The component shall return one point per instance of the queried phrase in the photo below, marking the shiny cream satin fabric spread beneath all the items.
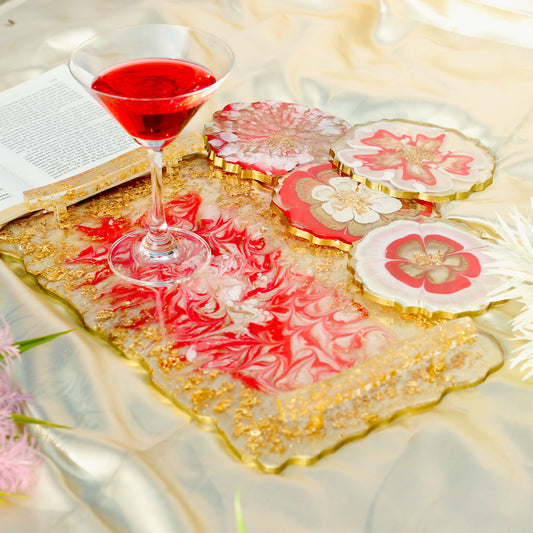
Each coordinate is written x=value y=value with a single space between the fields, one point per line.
x=132 y=463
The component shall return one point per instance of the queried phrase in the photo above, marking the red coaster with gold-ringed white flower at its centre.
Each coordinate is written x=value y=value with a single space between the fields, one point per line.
x=318 y=204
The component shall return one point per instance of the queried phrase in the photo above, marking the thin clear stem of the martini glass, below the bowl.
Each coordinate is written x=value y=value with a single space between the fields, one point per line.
x=158 y=240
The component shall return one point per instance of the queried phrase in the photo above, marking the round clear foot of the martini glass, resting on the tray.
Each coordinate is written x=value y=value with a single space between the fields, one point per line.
x=132 y=262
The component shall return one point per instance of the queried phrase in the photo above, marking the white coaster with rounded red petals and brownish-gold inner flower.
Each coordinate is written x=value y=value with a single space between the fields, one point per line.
x=434 y=268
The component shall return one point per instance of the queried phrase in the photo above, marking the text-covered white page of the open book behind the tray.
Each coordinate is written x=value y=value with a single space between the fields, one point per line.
x=53 y=129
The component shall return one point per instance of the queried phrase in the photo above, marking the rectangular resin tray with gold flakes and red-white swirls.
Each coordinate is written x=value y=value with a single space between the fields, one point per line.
x=271 y=347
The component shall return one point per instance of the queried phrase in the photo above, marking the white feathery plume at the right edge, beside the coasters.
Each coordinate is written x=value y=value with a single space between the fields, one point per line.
x=512 y=256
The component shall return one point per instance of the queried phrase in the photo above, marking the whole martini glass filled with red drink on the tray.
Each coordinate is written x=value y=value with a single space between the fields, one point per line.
x=153 y=78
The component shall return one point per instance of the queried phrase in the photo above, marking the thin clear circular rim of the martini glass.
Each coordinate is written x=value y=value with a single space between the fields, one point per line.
x=189 y=29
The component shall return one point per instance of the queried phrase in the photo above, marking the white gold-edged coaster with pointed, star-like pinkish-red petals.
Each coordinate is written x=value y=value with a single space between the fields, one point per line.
x=414 y=160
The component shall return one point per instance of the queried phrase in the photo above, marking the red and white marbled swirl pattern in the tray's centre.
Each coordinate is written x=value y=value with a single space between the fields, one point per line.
x=250 y=314
